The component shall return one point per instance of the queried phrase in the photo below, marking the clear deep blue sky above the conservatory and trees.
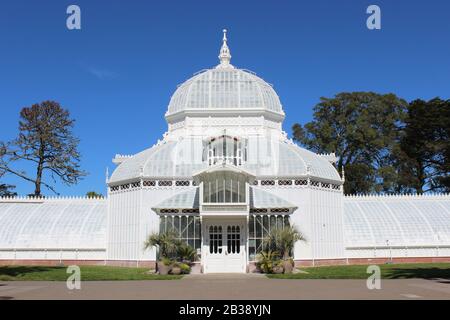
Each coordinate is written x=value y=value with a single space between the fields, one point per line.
x=117 y=73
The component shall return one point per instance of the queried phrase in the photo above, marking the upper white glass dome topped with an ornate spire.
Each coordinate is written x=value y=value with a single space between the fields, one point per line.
x=225 y=89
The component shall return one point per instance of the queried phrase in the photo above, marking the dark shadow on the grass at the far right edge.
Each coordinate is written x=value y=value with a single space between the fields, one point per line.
x=420 y=273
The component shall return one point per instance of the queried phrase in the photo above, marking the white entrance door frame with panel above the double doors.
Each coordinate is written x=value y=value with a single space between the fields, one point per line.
x=223 y=261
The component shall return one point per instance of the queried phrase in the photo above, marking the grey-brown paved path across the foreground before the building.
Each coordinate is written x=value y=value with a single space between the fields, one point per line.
x=217 y=287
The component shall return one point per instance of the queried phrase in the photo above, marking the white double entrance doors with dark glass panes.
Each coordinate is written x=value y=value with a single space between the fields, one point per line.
x=225 y=248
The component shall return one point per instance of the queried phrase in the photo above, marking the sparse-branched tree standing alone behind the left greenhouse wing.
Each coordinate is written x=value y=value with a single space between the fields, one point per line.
x=45 y=139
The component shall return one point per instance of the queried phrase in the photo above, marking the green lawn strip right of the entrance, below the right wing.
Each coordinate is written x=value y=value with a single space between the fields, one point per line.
x=388 y=271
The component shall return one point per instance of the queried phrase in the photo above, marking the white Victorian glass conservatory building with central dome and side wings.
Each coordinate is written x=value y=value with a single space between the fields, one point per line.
x=222 y=176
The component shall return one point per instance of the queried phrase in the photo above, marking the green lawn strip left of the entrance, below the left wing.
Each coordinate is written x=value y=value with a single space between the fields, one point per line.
x=88 y=273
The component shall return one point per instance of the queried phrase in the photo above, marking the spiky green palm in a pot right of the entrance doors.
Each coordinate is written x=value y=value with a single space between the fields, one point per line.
x=283 y=240
